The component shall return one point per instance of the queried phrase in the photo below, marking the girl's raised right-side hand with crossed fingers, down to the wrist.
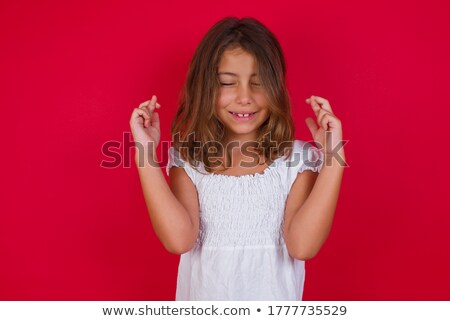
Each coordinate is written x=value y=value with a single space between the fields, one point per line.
x=329 y=135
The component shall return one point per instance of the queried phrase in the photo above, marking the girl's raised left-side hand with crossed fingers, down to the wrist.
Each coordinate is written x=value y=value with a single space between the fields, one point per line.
x=144 y=124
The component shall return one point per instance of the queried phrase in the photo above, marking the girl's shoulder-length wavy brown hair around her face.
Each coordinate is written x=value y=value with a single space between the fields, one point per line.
x=196 y=130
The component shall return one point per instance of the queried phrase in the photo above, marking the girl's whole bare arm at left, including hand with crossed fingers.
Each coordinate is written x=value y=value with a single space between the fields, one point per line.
x=174 y=213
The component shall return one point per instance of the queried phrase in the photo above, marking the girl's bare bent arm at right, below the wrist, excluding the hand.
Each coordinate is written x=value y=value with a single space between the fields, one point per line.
x=310 y=209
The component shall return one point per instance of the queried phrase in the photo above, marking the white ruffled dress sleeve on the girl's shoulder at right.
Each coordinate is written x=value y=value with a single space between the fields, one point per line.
x=304 y=156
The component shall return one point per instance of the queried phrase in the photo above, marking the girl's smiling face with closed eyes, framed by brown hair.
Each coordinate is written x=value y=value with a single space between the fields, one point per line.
x=240 y=93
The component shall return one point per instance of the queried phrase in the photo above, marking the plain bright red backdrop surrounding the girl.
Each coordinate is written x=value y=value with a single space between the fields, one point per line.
x=71 y=73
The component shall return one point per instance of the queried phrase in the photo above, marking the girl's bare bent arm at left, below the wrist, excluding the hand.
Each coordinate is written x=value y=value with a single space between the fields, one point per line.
x=173 y=212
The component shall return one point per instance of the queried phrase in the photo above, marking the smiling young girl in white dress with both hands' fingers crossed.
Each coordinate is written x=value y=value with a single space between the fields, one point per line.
x=246 y=204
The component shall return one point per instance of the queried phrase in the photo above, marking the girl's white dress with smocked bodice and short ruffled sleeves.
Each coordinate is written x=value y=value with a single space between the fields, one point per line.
x=240 y=253
